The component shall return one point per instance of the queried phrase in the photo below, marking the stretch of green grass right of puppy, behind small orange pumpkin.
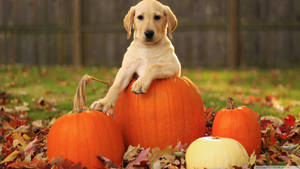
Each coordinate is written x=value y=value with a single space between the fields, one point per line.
x=218 y=84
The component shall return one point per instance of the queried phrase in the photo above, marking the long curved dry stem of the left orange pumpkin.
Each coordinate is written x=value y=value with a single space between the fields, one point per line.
x=79 y=98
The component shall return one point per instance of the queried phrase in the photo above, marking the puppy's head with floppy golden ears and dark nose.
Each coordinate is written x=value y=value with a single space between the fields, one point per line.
x=150 y=20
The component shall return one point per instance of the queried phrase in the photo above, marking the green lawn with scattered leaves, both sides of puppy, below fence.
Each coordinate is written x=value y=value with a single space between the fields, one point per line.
x=56 y=85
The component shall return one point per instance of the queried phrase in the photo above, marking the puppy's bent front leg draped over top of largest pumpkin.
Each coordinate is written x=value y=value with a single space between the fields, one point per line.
x=157 y=71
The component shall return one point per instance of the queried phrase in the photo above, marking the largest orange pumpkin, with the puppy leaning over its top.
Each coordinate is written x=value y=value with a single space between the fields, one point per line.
x=170 y=111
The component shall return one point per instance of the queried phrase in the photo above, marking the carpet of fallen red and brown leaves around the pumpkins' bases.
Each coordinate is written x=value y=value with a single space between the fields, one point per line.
x=23 y=144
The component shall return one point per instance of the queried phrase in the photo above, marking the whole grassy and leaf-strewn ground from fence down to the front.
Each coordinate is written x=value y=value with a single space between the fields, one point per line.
x=31 y=98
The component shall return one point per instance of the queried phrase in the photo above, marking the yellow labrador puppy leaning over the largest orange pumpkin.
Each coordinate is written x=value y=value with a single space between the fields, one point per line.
x=150 y=55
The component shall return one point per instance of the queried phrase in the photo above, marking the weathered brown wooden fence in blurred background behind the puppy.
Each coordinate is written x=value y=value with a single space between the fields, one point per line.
x=215 y=33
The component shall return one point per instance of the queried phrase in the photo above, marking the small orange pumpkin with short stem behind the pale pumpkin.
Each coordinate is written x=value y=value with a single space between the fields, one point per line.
x=239 y=123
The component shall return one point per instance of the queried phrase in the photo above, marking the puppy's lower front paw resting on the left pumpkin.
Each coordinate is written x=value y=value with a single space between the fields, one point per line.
x=103 y=105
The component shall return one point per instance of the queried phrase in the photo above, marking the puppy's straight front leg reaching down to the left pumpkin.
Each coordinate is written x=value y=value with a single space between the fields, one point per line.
x=121 y=81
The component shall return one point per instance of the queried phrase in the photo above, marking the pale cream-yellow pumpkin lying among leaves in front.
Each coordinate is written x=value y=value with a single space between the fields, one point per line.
x=214 y=152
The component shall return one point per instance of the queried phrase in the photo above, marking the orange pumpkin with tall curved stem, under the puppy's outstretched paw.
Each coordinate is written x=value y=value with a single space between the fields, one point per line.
x=82 y=136
